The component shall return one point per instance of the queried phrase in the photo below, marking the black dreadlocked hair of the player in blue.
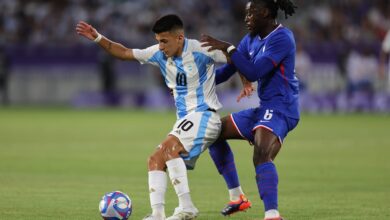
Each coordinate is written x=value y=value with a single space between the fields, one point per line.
x=273 y=5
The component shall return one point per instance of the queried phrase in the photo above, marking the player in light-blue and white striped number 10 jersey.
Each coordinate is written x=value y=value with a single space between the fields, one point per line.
x=188 y=70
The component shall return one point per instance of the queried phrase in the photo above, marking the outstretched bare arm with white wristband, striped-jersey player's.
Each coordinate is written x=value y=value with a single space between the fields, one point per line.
x=115 y=49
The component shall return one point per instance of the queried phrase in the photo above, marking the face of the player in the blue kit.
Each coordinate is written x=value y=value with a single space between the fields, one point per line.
x=254 y=17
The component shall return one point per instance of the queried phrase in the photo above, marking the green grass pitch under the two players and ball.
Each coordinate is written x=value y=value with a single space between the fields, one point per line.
x=57 y=164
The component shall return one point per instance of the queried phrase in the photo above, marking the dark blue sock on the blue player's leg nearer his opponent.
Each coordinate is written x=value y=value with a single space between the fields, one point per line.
x=223 y=159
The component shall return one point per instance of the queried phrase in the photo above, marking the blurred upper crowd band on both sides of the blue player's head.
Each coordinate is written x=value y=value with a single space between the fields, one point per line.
x=40 y=21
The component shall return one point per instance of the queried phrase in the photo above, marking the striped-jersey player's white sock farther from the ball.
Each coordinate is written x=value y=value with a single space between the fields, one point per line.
x=178 y=175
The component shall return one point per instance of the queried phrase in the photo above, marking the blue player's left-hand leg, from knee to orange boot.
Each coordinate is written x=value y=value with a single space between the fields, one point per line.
x=223 y=158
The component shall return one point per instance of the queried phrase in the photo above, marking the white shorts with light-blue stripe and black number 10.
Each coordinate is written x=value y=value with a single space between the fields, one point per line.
x=197 y=131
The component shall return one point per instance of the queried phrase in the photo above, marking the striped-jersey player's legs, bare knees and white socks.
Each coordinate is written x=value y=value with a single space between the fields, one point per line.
x=168 y=156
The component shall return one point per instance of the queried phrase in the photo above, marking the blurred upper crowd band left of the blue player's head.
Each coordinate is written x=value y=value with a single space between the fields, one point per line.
x=50 y=22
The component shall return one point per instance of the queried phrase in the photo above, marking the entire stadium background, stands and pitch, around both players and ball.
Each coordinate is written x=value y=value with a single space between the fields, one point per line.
x=76 y=123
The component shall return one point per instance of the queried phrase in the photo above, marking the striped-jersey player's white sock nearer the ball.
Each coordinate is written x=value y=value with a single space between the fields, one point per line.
x=157 y=188
